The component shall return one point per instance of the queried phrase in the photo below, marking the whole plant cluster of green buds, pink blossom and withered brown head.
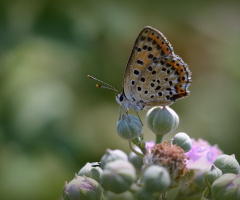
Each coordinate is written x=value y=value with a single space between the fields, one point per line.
x=153 y=169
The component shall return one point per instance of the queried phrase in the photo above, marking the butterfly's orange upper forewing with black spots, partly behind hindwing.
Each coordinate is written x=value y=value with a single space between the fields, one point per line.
x=150 y=45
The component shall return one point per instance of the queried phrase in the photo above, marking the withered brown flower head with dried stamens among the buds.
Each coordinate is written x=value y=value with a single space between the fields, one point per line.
x=169 y=156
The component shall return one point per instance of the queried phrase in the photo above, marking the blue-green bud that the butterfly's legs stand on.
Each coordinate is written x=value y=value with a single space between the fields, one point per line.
x=129 y=127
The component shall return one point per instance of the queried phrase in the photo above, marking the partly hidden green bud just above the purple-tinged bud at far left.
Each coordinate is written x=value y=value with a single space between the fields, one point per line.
x=92 y=172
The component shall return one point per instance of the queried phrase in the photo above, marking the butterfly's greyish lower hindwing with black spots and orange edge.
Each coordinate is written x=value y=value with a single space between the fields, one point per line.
x=163 y=81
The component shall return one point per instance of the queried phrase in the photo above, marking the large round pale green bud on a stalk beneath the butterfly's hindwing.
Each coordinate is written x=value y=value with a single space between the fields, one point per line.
x=162 y=120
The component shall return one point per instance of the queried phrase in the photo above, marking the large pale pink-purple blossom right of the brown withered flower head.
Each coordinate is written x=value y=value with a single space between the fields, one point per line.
x=202 y=154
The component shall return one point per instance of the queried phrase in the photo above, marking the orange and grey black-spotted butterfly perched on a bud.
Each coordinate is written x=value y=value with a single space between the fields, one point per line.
x=155 y=75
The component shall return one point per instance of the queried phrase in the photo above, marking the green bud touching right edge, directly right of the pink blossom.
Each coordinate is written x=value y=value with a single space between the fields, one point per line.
x=227 y=164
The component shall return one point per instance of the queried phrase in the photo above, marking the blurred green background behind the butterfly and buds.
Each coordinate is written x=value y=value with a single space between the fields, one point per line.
x=52 y=117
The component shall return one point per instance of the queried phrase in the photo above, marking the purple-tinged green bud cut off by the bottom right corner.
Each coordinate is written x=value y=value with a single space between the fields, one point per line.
x=227 y=187
